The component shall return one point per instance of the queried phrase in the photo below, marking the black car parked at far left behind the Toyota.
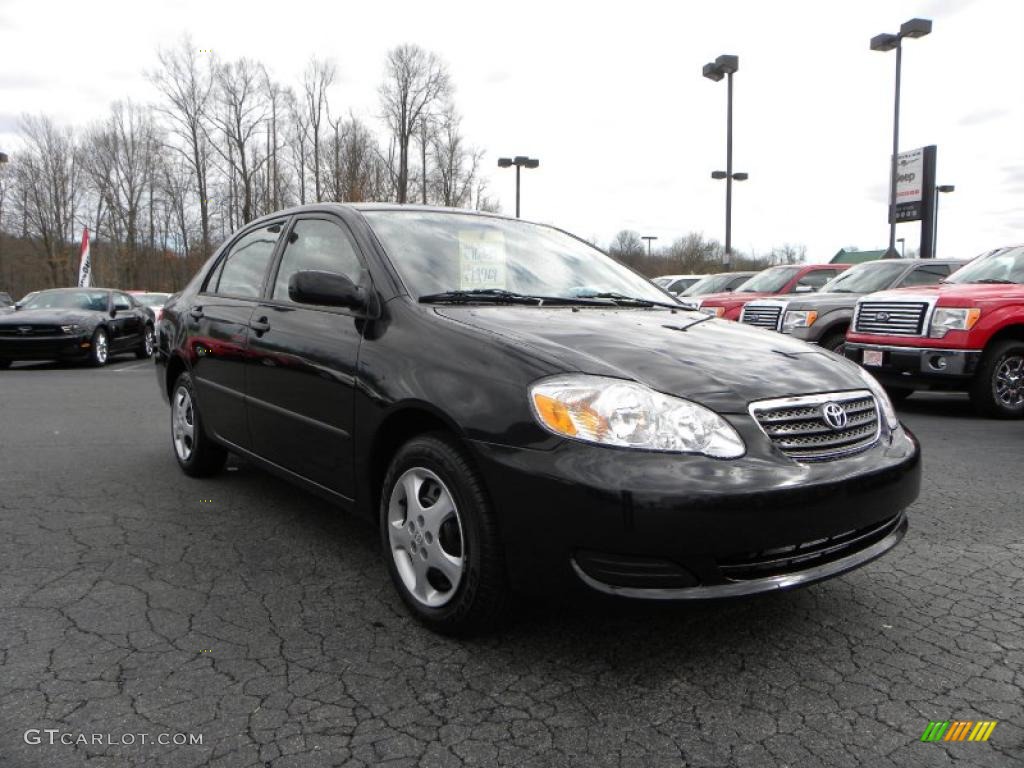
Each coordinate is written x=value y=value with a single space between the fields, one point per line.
x=76 y=324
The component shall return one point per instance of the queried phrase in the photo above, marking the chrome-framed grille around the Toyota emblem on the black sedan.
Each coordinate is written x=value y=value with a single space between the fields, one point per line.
x=798 y=428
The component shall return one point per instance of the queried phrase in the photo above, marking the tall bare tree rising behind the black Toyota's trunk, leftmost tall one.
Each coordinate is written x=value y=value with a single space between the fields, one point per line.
x=187 y=89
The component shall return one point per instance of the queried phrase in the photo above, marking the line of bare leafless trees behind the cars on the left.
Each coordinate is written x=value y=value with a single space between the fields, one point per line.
x=161 y=185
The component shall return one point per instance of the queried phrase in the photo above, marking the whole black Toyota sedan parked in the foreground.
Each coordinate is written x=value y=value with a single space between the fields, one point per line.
x=518 y=411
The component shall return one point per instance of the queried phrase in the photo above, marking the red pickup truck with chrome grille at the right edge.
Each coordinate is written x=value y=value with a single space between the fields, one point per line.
x=966 y=334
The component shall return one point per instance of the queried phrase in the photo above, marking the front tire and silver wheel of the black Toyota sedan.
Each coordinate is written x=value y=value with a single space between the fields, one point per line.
x=441 y=538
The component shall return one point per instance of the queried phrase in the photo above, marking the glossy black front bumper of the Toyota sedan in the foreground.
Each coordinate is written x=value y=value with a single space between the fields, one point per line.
x=676 y=527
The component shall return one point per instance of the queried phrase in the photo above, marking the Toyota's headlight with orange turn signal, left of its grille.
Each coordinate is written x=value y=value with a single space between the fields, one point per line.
x=617 y=412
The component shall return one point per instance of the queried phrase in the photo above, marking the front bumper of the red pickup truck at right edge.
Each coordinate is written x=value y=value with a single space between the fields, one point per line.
x=919 y=368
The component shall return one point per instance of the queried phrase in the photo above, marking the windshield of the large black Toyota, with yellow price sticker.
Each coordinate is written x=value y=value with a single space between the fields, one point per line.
x=477 y=257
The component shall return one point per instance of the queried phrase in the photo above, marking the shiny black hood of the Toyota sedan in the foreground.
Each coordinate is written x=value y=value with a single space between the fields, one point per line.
x=722 y=365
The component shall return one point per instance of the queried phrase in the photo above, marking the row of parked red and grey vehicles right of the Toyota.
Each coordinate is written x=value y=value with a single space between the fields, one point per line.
x=915 y=324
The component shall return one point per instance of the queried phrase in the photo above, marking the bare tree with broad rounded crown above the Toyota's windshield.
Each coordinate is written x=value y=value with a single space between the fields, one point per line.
x=415 y=82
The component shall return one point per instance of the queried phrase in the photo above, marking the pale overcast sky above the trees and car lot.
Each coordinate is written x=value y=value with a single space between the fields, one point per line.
x=611 y=99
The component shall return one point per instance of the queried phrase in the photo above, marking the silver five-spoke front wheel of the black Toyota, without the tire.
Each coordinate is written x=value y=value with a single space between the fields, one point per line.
x=426 y=539
